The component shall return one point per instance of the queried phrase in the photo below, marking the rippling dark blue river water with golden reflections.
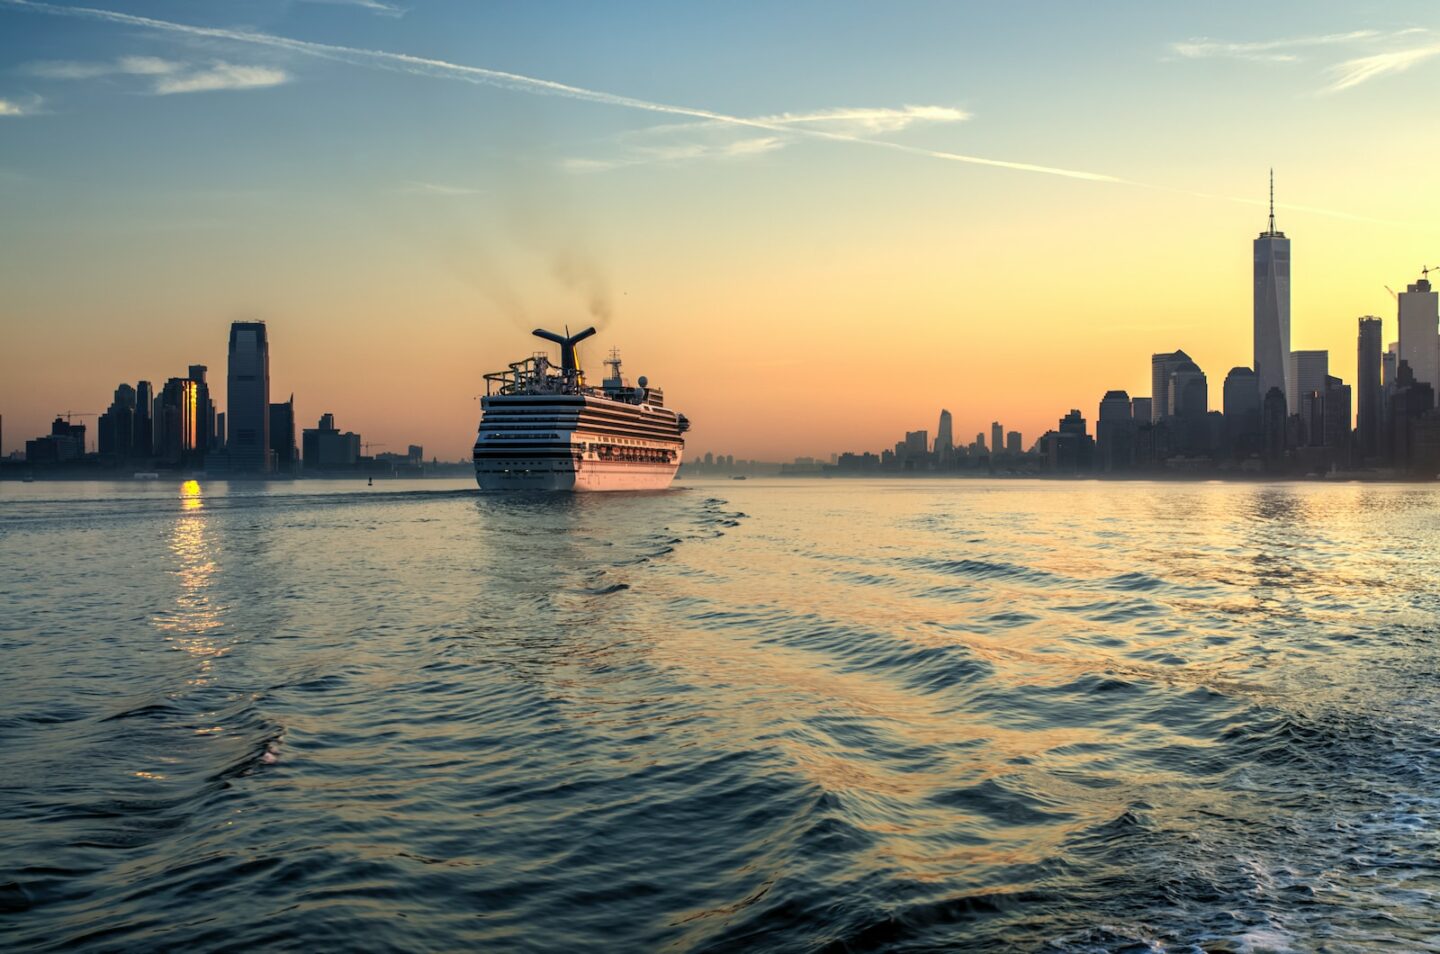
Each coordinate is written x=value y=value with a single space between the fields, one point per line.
x=775 y=717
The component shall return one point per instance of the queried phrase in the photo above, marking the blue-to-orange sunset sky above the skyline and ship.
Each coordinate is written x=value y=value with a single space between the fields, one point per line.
x=813 y=224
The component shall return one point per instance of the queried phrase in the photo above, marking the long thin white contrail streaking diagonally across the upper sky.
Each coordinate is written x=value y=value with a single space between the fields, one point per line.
x=426 y=67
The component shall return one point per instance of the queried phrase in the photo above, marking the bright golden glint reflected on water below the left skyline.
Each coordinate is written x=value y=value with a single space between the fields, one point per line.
x=195 y=618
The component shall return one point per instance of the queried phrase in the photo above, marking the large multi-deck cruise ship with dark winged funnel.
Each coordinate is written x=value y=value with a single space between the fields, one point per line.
x=544 y=429
